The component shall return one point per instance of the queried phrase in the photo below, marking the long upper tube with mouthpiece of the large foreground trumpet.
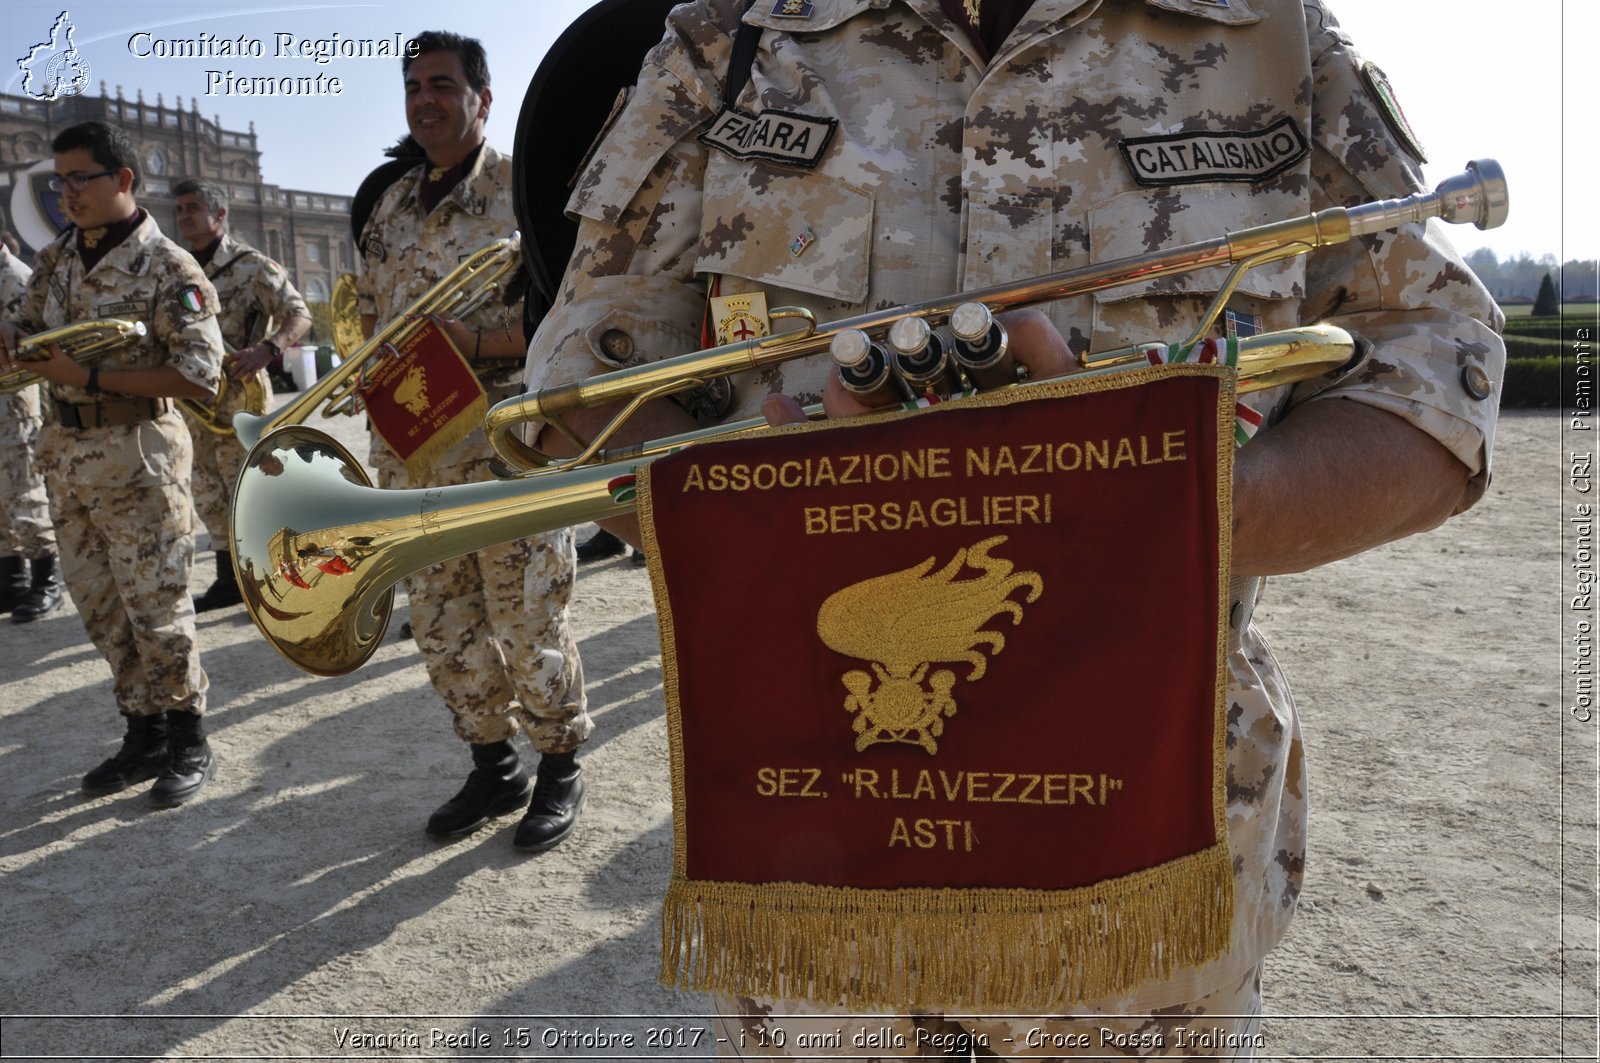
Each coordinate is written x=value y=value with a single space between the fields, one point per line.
x=1478 y=196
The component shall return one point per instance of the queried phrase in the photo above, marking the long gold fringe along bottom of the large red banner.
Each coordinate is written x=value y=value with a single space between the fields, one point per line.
x=1001 y=952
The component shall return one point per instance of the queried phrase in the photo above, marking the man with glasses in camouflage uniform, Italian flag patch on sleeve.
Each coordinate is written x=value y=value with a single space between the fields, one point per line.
x=118 y=454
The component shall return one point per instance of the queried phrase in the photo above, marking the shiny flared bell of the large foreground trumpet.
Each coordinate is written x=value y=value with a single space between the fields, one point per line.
x=297 y=576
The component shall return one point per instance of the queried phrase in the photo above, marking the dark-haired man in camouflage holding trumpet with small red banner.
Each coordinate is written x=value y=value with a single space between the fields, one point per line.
x=494 y=627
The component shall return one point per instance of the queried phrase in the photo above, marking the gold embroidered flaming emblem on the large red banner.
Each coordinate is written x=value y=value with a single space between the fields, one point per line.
x=905 y=624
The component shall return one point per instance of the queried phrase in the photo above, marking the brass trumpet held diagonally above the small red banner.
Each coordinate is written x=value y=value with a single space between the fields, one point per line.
x=465 y=291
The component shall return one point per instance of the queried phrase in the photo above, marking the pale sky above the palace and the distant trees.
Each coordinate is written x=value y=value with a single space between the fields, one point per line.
x=1473 y=81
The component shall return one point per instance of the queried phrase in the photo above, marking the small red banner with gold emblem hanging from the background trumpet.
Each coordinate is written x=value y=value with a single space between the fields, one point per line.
x=425 y=399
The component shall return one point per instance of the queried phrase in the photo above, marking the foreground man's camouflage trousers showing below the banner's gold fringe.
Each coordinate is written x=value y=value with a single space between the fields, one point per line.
x=1225 y=1025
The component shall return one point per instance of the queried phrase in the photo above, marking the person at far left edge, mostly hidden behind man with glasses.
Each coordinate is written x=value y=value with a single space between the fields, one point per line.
x=30 y=571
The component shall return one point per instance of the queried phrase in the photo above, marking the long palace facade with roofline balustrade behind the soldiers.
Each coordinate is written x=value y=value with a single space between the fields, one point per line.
x=310 y=233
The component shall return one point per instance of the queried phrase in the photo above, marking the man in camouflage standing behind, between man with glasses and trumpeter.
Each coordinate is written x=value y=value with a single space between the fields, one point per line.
x=260 y=313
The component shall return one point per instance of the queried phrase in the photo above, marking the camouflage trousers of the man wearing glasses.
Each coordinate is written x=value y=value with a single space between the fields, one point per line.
x=127 y=555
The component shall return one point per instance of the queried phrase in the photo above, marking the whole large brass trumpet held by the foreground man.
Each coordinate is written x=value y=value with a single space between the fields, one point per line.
x=318 y=550
